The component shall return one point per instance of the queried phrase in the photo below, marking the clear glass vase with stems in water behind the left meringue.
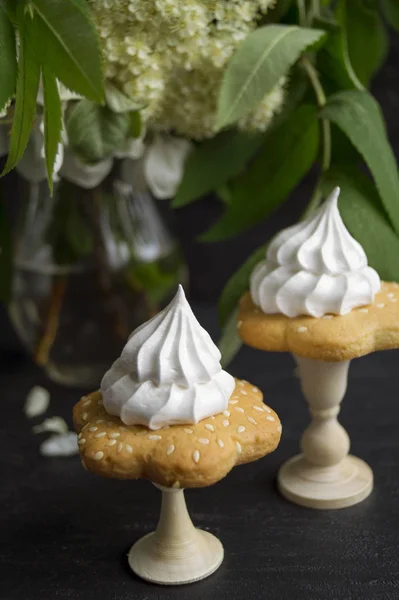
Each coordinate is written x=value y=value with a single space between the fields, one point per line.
x=90 y=265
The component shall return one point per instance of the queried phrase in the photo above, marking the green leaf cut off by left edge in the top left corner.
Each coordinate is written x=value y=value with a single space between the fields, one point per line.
x=8 y=59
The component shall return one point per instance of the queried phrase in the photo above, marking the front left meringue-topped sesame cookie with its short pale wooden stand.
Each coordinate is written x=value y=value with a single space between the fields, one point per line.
x=167 y=412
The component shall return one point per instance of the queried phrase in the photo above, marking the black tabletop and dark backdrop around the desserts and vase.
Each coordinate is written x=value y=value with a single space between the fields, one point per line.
x=64 y=533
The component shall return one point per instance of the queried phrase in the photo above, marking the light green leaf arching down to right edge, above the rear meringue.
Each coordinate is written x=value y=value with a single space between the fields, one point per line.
x=360 y=118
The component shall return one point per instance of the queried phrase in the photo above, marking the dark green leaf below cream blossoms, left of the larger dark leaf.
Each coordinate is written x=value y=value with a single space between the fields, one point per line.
x=214 y=162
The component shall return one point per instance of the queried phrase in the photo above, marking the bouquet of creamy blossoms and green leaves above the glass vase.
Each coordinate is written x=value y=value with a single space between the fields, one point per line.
x=240 y=99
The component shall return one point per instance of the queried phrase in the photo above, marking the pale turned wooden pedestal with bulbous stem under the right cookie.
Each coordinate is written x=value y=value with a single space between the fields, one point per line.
x=325 y=475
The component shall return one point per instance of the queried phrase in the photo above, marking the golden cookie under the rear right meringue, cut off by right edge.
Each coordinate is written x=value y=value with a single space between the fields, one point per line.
x=331 y=338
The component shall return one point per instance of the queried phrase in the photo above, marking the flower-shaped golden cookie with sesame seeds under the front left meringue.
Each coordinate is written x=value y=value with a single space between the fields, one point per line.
x=179 y=455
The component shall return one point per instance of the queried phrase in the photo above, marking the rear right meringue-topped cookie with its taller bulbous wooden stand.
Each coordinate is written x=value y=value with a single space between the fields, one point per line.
x=315 y=296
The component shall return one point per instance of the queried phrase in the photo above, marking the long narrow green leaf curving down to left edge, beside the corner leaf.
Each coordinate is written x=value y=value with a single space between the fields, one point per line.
x=26 y=93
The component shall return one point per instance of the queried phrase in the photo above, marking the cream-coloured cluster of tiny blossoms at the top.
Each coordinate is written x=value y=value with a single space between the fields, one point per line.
x=170 y=55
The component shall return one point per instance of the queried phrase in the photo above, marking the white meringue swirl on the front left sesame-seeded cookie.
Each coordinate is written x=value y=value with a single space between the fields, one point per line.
x=169 y=372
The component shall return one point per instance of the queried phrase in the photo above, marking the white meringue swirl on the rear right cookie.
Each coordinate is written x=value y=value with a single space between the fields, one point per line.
x=314 y=268
